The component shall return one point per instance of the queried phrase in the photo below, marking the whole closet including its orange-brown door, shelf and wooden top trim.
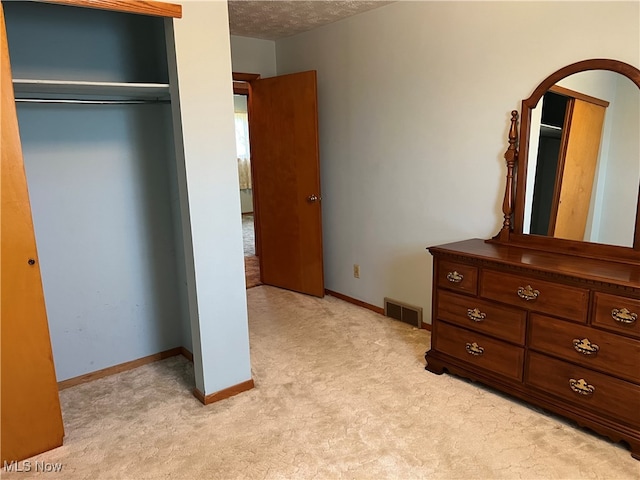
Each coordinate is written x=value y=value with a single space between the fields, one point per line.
x=93 y=101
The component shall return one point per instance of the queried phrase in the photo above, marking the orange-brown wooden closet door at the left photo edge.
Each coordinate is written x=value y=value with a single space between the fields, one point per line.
x=31 y=420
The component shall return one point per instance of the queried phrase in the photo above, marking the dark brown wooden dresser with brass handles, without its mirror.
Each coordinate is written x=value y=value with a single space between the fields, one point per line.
x=558 y=331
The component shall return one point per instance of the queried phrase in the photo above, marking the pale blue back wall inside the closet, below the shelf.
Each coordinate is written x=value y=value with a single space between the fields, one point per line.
x=98 y=183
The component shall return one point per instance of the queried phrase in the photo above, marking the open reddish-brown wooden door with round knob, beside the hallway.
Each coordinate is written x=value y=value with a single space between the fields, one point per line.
x=286 y=171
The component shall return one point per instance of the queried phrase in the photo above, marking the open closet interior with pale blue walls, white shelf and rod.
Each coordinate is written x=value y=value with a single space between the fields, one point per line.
x=95 y=119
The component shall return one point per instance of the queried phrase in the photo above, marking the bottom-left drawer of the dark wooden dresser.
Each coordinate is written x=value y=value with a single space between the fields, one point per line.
x=476 y=349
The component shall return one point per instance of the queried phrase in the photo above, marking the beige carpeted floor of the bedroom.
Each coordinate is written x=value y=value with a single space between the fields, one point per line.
x=341 y=393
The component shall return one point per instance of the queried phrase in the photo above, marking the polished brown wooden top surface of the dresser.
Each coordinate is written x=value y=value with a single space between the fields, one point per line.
x=578 y=267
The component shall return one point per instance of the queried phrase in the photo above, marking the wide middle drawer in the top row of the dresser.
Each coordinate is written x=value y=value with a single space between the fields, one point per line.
x=538 y=295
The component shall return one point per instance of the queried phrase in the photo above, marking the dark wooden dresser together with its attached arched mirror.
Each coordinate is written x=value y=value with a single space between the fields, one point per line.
x=547 y=310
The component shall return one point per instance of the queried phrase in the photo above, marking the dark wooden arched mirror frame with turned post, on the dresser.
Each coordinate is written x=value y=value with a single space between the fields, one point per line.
x=516 y=158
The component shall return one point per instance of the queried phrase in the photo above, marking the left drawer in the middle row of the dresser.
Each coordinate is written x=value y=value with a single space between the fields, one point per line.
x=493 y=319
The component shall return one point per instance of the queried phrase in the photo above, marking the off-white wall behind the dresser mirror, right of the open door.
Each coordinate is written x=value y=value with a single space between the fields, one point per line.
x=414 y=107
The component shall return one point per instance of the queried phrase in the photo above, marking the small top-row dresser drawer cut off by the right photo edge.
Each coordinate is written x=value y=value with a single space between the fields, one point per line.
x=618 y=314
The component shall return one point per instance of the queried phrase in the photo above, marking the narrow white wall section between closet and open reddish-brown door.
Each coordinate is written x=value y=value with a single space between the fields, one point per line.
x=210 y=196
